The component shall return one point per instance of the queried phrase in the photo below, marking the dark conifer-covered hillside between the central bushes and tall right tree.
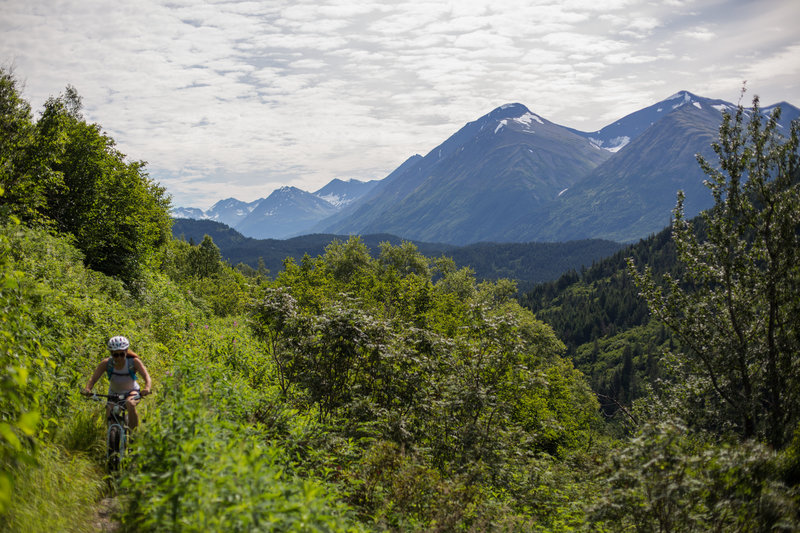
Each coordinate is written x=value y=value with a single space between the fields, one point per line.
x=605 y=324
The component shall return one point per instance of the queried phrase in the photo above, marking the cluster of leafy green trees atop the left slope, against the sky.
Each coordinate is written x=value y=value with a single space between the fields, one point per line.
x=64 y=172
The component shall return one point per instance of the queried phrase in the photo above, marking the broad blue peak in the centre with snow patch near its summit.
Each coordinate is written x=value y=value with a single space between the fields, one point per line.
x=471 y=187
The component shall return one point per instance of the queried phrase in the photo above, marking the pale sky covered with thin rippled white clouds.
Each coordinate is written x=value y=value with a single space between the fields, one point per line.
x=237 y=98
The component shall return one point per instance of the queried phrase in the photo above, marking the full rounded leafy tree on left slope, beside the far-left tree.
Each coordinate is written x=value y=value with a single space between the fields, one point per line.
x=118 y=216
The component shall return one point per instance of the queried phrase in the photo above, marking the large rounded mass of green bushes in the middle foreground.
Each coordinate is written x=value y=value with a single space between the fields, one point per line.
x=449 y=384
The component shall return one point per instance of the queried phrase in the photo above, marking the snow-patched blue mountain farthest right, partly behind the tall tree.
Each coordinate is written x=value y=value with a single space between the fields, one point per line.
x=632 y=194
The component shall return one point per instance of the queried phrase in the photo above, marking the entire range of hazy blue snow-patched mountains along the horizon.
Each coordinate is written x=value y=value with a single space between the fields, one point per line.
x=514 y=176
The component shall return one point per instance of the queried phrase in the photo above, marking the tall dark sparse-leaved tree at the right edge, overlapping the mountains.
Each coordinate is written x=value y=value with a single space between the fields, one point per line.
x=737 y=310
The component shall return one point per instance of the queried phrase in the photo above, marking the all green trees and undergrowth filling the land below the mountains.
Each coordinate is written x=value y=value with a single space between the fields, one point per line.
x=385 y=390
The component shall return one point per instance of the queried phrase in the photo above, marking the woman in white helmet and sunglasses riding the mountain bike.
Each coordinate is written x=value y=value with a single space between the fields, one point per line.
x=122 y=369
